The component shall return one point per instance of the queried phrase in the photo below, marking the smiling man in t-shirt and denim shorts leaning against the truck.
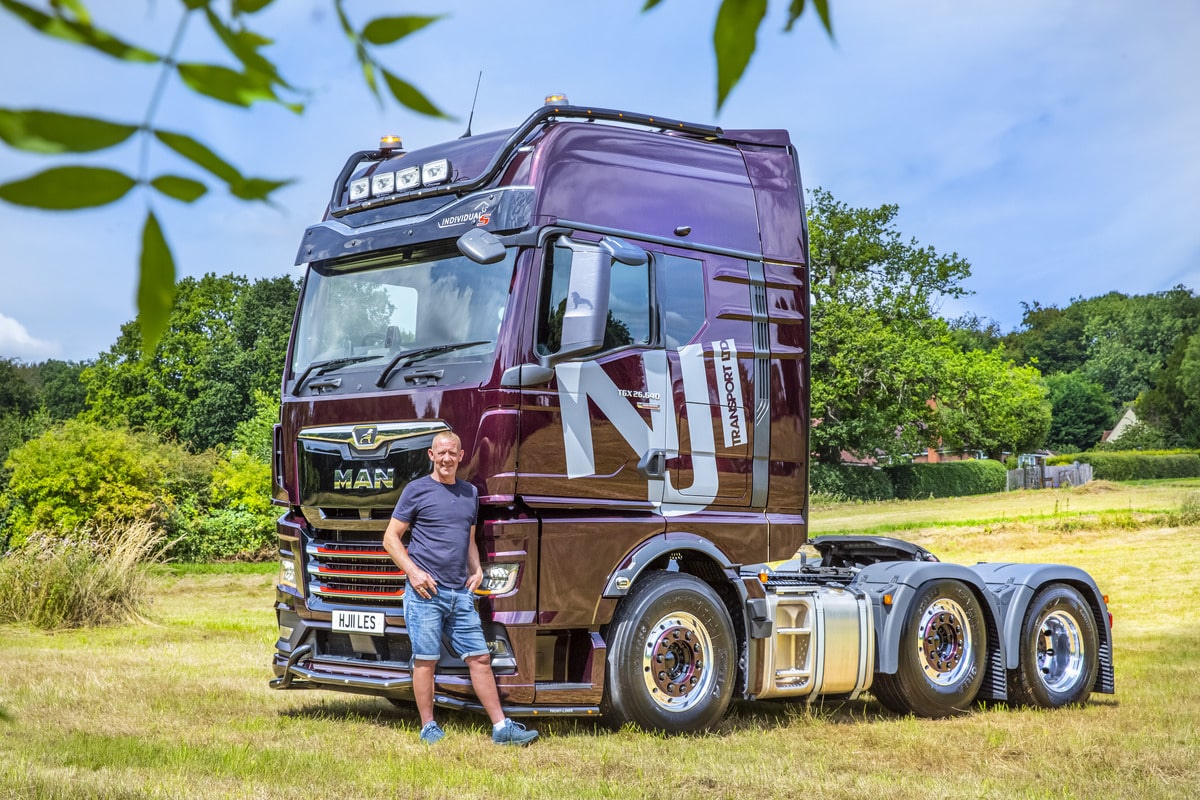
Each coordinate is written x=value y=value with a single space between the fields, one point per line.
x=443 y=570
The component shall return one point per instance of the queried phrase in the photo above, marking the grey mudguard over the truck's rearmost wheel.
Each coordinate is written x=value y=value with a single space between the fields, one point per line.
x=1015 y=586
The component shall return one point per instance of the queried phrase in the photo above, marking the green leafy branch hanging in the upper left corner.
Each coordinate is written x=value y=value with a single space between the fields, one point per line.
x=255 y=79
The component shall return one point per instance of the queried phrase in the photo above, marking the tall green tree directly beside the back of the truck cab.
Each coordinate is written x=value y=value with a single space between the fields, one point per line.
x=877 y=342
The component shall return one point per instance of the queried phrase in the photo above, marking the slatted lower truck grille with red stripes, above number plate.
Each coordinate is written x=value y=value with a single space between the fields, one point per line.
x=353 y=568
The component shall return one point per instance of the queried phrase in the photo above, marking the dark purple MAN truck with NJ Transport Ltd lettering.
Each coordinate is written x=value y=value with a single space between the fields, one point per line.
x=611 y=310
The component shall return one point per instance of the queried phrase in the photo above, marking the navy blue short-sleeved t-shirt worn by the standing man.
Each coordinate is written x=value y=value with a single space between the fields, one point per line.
x=440 y=518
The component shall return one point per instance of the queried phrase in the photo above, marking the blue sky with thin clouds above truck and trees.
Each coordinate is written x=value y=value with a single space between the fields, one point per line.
x=1053 y=145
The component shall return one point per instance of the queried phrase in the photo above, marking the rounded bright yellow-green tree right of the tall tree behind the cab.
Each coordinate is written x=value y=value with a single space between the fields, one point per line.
x=986 y=402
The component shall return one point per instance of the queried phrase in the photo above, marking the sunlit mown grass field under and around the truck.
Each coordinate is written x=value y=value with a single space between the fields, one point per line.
x=181 y=708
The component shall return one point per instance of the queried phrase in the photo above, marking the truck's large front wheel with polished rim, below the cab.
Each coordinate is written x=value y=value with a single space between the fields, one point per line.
x=673 y=657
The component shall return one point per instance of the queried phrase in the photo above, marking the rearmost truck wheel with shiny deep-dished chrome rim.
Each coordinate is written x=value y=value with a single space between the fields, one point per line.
x=1059 y=651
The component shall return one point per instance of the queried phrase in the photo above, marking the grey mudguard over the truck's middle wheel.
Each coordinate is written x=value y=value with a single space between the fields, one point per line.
x=903 y=581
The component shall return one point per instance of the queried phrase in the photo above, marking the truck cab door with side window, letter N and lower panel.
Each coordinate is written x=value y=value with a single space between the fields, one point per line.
x=597 y=426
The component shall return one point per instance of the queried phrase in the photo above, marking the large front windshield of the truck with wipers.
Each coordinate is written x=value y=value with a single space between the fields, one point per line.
x=442 y=308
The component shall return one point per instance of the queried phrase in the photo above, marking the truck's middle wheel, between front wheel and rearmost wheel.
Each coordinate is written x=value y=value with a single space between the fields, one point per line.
x=943 y=653
